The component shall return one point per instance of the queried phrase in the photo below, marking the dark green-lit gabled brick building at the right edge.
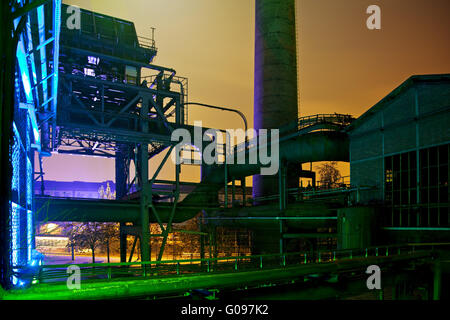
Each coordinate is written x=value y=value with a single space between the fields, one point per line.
x=399 y=152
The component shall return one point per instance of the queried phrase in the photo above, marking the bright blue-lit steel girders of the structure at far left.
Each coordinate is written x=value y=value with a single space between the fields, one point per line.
x=35 y=99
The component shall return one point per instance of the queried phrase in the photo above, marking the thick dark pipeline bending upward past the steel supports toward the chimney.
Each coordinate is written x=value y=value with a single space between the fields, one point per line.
x=313 y=146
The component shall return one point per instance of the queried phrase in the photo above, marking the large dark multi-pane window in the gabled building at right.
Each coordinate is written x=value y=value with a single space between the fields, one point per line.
x=422 y=203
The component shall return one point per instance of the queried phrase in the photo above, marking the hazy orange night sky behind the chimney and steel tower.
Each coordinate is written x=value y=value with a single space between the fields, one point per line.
x=343 y=66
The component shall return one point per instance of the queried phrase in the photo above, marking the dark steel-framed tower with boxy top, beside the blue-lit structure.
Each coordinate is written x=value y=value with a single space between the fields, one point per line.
x=114 y=103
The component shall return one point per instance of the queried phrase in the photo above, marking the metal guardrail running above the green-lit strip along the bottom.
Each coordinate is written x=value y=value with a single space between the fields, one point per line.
x=98 y=271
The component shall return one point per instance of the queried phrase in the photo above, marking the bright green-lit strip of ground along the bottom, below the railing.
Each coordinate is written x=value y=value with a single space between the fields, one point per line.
x=178 y=285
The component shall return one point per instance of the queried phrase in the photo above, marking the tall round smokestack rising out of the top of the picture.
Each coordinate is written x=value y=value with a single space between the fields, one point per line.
x=275 y=88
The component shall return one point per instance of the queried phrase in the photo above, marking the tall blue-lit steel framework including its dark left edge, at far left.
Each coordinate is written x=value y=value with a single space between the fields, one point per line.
x=30 y=43
